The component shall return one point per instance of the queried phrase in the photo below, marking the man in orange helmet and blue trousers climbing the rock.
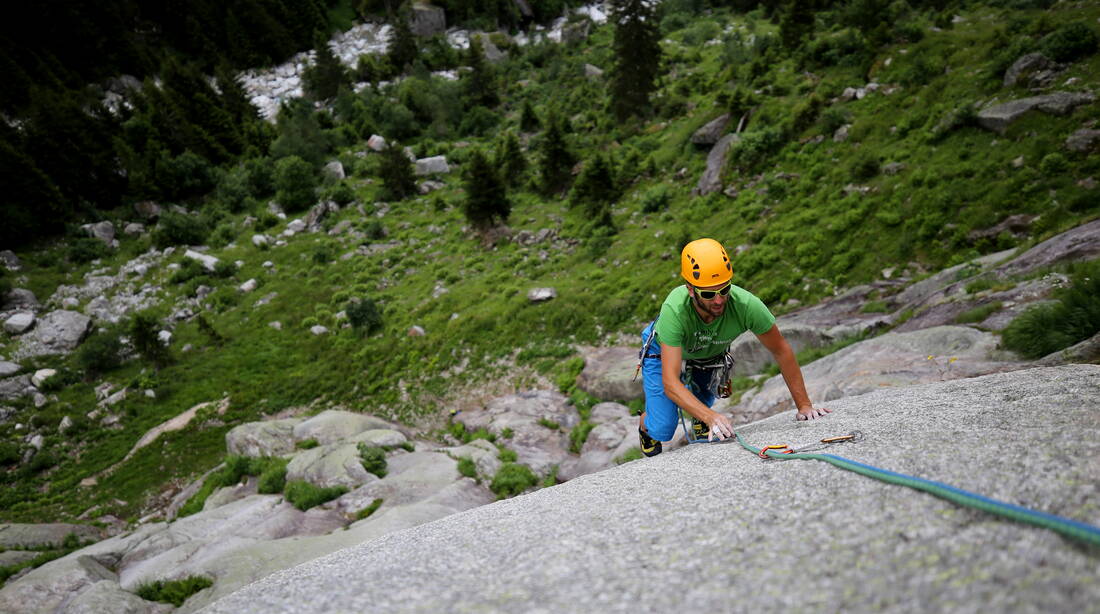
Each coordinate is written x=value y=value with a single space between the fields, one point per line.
x=698 y=323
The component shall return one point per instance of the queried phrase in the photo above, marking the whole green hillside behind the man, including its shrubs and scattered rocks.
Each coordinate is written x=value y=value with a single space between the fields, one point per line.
x=826 y=191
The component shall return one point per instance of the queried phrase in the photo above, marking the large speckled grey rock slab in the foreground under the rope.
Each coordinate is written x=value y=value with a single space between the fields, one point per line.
x=883 y=544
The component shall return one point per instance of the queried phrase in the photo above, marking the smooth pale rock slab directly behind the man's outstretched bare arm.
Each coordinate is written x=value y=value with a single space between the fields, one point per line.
x=895 y=359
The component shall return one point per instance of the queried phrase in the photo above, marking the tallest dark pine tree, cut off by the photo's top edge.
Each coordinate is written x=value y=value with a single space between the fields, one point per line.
x=637 y=56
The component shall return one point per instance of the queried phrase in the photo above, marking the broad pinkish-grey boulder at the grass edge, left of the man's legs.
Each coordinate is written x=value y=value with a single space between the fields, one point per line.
x=536 y=445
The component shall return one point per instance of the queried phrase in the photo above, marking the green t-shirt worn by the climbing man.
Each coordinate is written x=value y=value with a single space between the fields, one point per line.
x=680 y=325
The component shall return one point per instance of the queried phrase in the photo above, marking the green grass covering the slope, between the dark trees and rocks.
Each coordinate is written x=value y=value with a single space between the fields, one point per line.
x=808 y=239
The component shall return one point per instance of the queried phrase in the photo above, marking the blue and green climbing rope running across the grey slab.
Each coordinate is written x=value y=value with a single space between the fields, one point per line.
x=1068 y=528
